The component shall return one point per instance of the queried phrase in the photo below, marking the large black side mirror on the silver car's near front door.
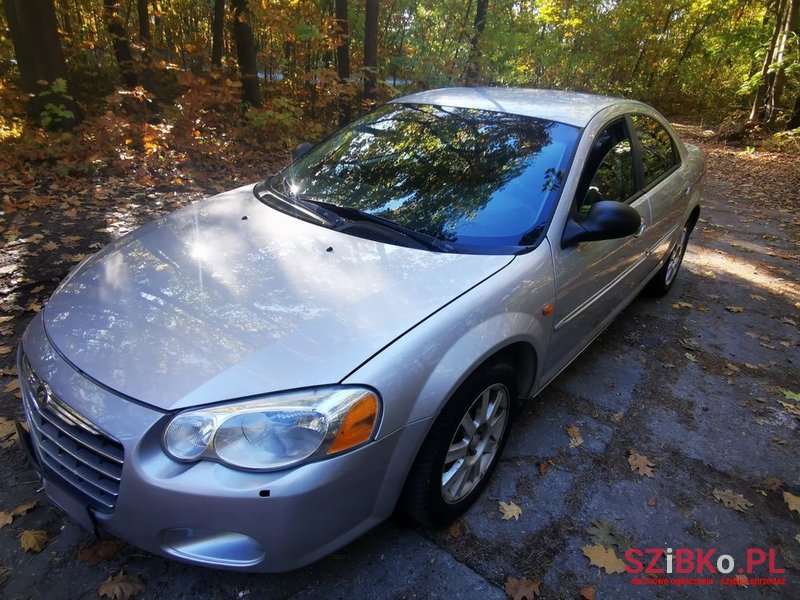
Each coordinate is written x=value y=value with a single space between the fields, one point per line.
x=607 y=220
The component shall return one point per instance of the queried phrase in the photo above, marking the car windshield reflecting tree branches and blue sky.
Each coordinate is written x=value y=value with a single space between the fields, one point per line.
x=477 y=180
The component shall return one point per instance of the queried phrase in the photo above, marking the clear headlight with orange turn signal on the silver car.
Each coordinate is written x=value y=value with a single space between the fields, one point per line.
x=278 y=431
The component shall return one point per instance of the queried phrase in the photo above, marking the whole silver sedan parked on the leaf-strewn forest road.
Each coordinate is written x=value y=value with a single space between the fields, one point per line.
x=257 y=379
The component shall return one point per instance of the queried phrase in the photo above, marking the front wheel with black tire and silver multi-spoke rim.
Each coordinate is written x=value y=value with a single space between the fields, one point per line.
x=454 y=464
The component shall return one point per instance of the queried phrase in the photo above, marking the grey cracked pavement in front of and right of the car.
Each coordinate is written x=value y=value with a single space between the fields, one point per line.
x=694 y=387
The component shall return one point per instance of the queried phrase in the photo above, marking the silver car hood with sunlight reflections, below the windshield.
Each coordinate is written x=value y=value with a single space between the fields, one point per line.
x=229 y=298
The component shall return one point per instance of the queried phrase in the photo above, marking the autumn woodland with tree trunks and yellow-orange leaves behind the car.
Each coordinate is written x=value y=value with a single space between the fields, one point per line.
x=89 y=87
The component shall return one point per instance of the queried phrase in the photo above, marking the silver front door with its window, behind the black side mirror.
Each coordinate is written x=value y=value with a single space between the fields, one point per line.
x=594 y=280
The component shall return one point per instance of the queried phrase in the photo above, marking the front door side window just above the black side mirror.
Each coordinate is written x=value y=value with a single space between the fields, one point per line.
x=609 y=171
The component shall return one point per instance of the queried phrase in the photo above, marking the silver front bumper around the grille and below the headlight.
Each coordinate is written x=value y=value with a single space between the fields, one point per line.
x=207 y=513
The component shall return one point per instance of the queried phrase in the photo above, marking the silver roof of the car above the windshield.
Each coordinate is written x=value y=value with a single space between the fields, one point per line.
x=571 y=108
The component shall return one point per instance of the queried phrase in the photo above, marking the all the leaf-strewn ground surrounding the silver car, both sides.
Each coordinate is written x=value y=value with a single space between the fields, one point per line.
x=703 y=384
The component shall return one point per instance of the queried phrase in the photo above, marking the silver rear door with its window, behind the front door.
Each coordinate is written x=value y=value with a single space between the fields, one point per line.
x=663 y=184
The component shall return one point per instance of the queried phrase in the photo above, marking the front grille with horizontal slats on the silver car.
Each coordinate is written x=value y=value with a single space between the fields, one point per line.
x=88 y=463
